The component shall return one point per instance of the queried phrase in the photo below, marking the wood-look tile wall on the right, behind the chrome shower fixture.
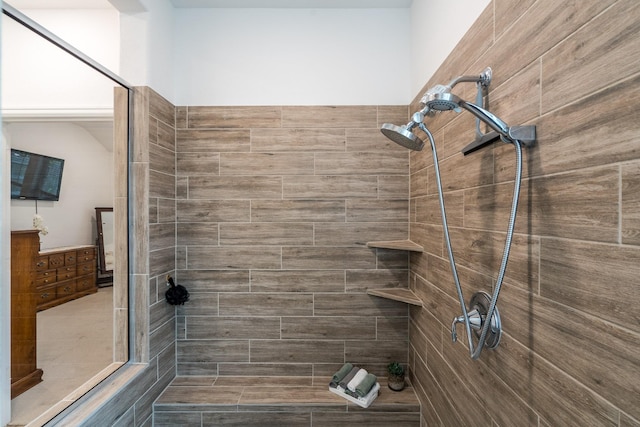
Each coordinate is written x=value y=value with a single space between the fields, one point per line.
x=570 y=353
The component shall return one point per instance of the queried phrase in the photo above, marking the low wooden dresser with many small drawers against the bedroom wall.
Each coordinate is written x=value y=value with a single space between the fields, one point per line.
x=63 y=274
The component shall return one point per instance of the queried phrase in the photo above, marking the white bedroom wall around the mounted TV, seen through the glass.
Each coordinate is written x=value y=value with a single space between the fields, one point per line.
x=87 y=182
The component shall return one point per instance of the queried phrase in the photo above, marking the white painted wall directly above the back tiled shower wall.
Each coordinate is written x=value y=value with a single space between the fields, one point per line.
x=291 y=56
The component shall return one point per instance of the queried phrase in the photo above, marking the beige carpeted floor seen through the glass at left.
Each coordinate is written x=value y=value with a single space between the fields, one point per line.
x=75 y=342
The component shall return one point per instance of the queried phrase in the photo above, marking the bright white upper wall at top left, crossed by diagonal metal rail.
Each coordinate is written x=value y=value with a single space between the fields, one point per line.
x=39 y=76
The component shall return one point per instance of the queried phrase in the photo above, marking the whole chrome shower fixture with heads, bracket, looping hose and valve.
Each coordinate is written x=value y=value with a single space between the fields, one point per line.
x=482 y=318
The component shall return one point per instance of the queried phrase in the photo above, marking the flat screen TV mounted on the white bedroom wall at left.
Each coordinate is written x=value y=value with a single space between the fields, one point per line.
x=34 y=176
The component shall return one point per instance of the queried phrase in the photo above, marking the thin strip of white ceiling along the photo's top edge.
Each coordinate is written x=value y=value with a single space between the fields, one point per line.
x=314 y=4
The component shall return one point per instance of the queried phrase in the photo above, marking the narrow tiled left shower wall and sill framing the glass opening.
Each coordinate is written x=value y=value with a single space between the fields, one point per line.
x=151 y=198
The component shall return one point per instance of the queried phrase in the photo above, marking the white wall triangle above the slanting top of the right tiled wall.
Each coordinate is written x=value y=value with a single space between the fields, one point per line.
x=436 y=28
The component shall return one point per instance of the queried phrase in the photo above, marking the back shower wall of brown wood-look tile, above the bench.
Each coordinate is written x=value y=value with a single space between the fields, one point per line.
x=274 y=209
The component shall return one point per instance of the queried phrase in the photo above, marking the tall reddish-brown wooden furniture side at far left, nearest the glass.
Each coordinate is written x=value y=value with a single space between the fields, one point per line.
x=24 y=253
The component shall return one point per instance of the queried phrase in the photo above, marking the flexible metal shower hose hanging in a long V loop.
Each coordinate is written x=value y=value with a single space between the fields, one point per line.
x=475 y=352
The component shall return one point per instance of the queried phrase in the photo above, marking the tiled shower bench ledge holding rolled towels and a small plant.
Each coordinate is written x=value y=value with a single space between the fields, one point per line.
x=277 y=401
